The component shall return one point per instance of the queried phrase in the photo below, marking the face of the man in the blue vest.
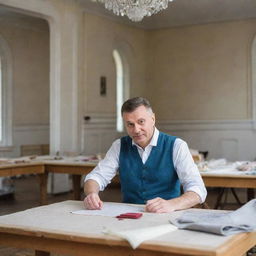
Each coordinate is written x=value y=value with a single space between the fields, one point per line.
x=140 y=125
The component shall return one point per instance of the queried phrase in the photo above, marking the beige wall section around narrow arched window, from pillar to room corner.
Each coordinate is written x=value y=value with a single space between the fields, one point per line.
x=101 y=37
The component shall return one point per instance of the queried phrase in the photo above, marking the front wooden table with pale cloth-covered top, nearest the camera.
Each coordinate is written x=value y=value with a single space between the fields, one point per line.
x=53 y=228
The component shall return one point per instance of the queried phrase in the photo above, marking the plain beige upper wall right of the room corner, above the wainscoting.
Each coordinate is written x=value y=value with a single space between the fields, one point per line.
x=202 y=72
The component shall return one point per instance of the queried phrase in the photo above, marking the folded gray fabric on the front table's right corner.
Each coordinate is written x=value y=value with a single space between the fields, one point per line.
x=222 y=223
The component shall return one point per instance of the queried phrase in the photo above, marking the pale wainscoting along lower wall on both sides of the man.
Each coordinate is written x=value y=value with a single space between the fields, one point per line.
x=234 y=140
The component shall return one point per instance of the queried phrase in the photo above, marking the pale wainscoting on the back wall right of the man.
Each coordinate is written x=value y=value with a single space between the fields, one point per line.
x=233 y=140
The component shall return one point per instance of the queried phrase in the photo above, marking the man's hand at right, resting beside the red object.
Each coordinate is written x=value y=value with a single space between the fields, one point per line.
x=159 y=205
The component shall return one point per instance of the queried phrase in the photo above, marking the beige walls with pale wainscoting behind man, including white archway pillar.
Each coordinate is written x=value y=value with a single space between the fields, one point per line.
x=198 y=76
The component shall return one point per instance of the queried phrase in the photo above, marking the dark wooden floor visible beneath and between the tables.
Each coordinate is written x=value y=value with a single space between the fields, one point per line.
x=27 y=196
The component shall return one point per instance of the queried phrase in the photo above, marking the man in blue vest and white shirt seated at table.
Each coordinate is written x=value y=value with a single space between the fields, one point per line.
x=151 y=166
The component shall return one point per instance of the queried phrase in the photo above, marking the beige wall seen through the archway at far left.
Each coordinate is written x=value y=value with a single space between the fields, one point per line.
x=28 y=105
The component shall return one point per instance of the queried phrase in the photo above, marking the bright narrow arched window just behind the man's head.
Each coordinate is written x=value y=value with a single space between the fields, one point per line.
x=119 y=89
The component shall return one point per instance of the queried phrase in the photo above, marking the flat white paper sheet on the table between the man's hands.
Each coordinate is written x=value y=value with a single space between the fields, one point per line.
x=111 y=209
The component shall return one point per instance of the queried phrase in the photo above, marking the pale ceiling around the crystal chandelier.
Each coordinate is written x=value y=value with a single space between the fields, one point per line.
x=185 y=12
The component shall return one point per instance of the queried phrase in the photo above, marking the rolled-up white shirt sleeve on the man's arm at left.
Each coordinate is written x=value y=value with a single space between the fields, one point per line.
x=107 y=167
